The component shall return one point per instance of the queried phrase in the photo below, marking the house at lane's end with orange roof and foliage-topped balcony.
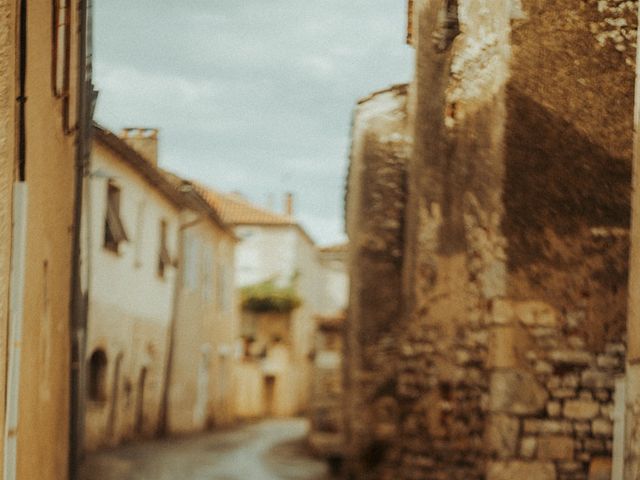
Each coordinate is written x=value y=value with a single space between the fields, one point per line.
x=275 y=256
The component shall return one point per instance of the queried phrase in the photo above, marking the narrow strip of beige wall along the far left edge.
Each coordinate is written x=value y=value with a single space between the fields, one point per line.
x=7 y=164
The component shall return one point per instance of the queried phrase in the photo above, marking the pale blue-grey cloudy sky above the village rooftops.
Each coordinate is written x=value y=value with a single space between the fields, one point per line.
x=252 y=96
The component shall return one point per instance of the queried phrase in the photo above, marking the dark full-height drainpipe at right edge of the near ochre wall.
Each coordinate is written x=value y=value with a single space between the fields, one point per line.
x=79 y=271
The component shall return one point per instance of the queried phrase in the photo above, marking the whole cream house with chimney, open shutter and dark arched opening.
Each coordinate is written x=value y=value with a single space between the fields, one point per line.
x=135 y=216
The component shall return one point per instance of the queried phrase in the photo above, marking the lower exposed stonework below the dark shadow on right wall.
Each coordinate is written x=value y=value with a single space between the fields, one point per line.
x=553 y=360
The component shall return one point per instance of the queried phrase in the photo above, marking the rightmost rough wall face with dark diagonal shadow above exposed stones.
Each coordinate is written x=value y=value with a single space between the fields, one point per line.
x=558 y=336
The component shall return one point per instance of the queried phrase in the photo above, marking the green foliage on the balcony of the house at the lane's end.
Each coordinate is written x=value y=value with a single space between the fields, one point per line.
x=268 y=297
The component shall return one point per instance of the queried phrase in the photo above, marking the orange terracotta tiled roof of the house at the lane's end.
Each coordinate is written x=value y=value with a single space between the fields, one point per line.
x=236 y=210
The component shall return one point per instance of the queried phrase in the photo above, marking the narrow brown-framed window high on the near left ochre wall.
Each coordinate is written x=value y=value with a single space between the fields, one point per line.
x=61 y=58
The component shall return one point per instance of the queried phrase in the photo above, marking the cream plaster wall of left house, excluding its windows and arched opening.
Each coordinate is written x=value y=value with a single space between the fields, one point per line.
x=130 y=305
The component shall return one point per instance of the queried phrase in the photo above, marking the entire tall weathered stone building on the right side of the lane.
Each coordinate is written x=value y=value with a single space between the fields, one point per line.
x=512 y=243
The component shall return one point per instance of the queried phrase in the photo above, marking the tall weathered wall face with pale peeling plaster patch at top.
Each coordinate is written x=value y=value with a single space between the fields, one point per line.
x=455 y=261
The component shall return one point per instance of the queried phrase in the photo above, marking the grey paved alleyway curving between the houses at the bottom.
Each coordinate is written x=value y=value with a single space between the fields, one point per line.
x=270 y=450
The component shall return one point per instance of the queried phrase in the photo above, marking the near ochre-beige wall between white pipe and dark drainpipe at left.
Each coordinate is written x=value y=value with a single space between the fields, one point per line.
x=44 y=395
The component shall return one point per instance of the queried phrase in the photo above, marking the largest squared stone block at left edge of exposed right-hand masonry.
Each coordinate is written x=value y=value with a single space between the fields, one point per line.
x=517 y=392
